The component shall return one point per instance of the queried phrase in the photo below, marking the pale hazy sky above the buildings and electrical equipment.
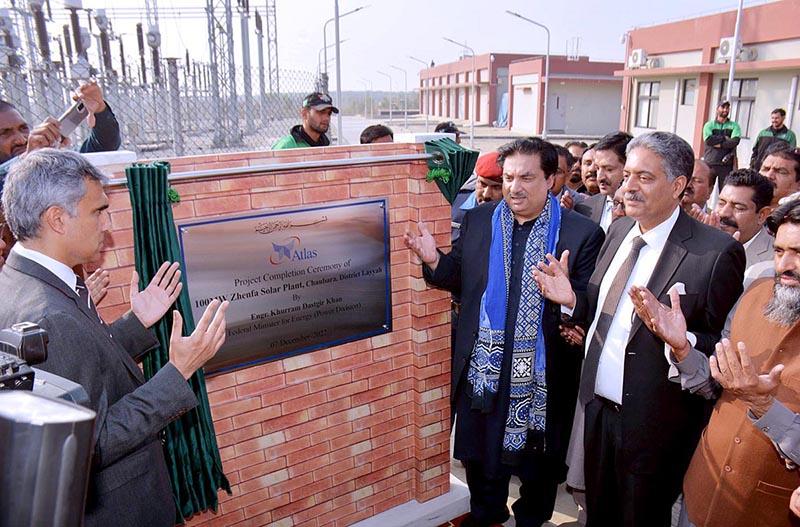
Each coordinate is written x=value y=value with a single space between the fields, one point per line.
x=387 y=32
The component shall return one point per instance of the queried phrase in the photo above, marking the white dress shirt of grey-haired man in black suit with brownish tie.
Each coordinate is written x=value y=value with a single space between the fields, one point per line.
x=611 y=367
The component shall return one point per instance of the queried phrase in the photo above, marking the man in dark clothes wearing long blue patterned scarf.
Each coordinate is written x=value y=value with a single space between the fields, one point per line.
x=514 y=378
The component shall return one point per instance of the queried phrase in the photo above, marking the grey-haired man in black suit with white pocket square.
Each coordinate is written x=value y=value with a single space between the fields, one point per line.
x=641 y=428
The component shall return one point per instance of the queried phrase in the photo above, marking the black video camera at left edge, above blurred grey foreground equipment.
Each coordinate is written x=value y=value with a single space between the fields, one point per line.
x=22 y=346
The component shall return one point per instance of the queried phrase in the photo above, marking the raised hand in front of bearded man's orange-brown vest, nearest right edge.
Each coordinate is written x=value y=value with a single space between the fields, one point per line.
x=734 y=370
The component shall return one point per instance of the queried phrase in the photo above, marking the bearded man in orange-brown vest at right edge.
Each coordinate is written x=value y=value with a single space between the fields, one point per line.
x=744 y=469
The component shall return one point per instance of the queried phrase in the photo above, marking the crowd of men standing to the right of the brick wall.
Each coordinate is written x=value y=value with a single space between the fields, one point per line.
x=619 y=329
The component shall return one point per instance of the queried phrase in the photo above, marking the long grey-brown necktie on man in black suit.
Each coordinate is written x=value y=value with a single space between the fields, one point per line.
x=613 y=297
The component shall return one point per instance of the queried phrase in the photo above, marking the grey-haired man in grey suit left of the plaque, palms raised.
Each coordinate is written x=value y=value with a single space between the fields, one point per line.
x=55 y=205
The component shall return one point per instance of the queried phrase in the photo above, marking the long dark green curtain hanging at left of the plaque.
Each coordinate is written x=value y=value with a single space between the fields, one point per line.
x=191 y=448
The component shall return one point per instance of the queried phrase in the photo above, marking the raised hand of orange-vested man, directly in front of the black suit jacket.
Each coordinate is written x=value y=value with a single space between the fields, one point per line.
x=667 y=323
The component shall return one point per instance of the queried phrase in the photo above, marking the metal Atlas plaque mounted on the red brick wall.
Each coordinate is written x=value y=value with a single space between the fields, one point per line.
x=297 y=279
